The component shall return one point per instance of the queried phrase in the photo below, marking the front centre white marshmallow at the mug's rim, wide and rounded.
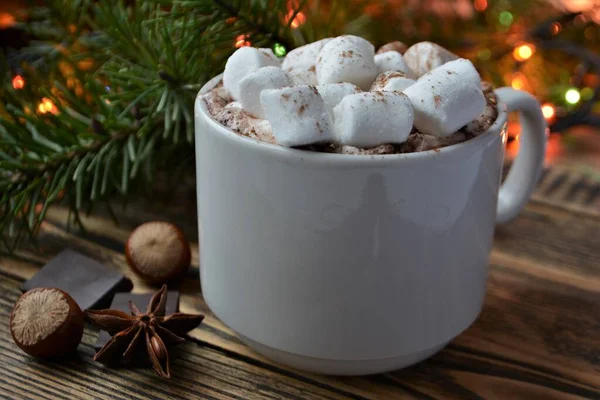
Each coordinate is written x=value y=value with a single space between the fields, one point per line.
x=370 y=119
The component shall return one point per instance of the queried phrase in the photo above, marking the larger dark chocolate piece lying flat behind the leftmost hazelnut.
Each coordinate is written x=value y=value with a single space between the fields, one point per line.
x=89 y=283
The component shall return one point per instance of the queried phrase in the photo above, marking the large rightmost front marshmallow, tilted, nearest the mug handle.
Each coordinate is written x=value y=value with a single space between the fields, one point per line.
x=444 y=101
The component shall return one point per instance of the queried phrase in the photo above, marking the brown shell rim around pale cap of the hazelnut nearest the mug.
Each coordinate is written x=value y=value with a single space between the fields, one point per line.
x=175 y=270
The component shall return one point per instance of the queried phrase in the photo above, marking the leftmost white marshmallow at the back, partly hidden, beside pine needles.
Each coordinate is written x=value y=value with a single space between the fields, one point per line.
x=244 y=61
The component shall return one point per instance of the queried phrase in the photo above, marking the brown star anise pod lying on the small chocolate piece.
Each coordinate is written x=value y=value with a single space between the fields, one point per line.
x=152 y=327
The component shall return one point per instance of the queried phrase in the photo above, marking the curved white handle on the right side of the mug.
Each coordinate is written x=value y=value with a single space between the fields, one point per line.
x=525 y=171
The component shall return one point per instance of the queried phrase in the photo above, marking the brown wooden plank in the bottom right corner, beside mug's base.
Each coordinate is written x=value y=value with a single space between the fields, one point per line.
x=533 y=335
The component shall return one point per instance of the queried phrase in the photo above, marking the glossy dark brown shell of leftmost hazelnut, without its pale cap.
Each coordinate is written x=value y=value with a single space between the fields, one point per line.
x=63 y=340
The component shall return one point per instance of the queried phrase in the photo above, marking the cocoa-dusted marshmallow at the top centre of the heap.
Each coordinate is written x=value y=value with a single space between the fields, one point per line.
x=347 y=59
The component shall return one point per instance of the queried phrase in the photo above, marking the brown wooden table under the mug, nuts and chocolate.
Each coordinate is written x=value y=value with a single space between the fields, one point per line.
x=538 y=335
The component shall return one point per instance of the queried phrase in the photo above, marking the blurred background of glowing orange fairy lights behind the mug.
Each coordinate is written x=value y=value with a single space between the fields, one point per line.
x=549 y=48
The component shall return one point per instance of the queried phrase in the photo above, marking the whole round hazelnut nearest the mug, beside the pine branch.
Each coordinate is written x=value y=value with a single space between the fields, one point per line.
x=157 y=251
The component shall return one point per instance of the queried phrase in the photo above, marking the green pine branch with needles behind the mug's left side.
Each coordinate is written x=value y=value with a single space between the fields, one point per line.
x=122 y=78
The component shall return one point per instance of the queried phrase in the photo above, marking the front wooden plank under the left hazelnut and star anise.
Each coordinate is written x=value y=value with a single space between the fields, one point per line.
x=198 y=371
